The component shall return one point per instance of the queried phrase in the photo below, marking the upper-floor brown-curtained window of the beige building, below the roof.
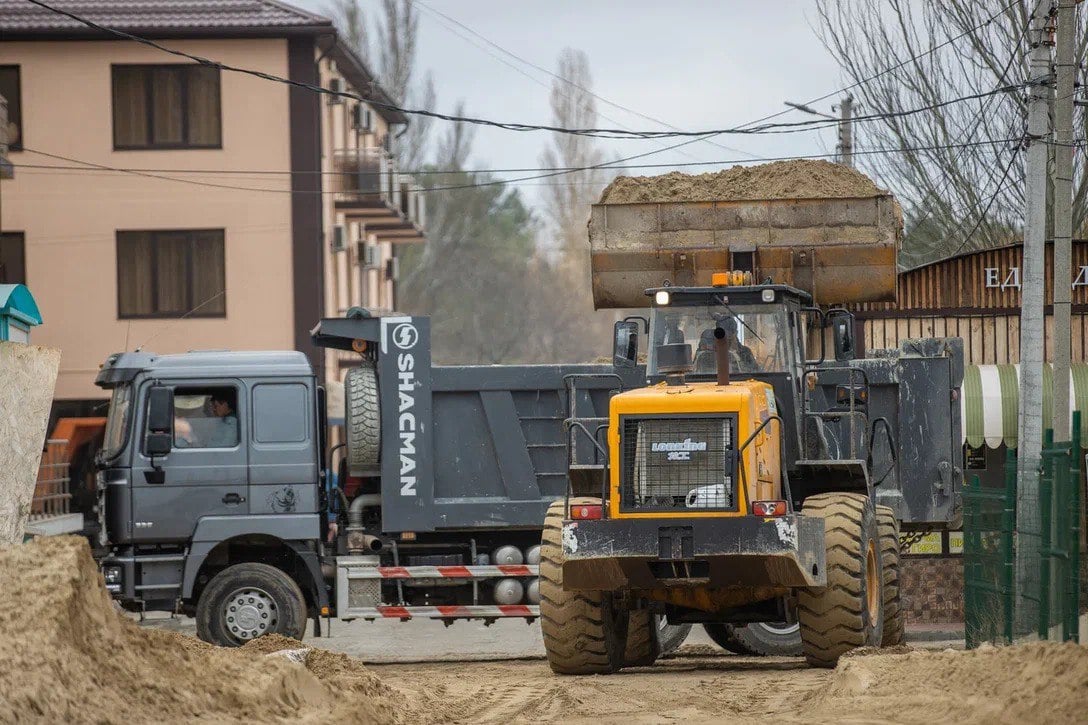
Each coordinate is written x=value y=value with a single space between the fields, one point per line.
x=166 y=107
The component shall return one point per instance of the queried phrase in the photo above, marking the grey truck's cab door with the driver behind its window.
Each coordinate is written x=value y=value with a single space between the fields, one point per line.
x=205 y=473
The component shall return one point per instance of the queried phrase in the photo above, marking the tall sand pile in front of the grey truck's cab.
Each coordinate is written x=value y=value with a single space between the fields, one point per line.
x=70 y=657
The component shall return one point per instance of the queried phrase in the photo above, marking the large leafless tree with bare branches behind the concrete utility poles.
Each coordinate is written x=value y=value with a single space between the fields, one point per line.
x=956 y=198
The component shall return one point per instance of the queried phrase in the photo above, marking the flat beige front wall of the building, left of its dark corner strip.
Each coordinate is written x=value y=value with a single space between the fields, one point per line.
x=70 y=218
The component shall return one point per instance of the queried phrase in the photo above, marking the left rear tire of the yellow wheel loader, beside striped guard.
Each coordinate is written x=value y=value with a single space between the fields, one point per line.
x=584 y=633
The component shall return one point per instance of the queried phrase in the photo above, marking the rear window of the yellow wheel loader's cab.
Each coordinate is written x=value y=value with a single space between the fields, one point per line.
x=759 y=337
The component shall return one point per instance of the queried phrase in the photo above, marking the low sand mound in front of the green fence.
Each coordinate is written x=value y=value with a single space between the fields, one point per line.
x=1040 y=683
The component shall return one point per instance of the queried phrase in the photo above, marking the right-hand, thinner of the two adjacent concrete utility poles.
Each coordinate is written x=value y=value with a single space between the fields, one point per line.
x=1067 y=71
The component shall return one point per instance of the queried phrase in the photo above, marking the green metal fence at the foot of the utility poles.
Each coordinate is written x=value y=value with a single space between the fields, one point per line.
x=992 y=601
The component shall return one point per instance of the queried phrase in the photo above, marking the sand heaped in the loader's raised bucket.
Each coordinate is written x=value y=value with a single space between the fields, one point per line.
x=800 y=179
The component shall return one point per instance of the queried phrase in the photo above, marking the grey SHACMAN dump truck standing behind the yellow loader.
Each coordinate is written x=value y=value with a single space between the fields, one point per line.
x=217 y=496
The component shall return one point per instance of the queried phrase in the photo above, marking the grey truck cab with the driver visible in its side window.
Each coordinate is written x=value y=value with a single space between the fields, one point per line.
x=211 y=461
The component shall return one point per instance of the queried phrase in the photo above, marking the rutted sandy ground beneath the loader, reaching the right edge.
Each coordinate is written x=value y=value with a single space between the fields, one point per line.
x=1036 y=684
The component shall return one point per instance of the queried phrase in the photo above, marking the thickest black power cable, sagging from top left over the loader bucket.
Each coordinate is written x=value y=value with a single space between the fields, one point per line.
x=601 y=133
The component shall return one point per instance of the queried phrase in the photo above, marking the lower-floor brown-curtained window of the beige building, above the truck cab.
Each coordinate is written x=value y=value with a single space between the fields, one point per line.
x=171 y=274
